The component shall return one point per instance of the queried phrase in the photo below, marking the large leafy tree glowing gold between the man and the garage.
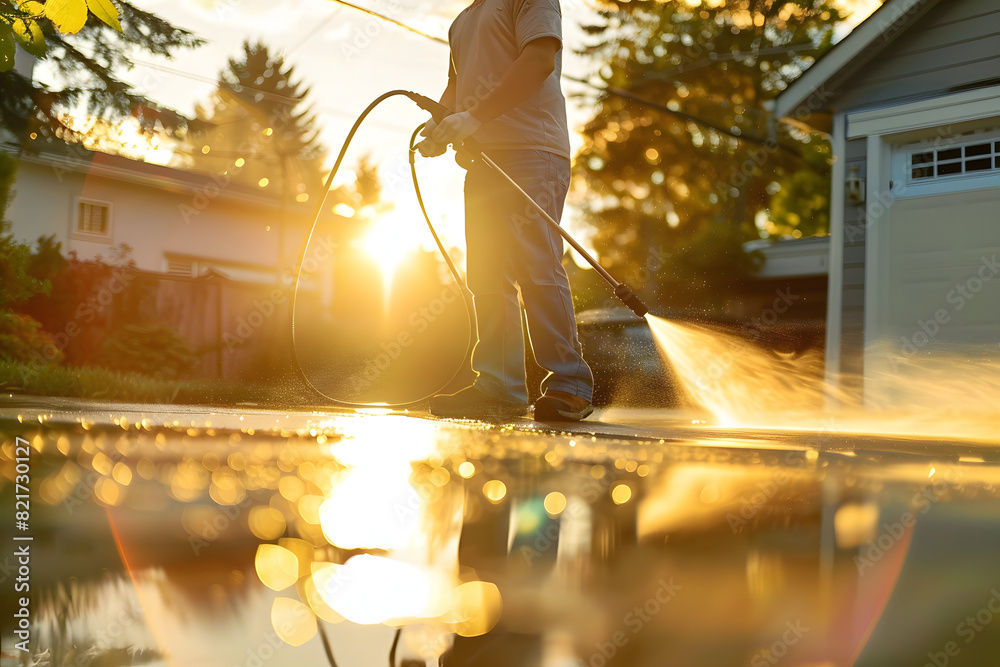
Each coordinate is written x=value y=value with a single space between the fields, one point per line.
x=686 y=176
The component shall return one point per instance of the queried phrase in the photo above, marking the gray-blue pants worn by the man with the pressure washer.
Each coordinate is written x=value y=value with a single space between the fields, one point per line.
x=512 y=248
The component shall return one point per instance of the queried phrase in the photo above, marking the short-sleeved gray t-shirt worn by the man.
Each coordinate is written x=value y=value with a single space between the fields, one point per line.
x=485 y=40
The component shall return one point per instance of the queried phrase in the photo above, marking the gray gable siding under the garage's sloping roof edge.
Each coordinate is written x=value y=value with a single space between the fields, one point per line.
x=954 y=46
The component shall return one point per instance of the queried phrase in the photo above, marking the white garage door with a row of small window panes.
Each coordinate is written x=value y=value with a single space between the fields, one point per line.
x=934 y=277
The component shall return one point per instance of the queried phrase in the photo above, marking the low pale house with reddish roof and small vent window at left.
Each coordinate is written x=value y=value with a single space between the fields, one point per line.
x=175 y=221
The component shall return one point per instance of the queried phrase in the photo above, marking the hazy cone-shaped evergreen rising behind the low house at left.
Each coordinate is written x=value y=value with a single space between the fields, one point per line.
x=258 y=125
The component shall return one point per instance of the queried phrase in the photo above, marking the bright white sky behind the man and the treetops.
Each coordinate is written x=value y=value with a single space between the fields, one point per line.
x=312 y=33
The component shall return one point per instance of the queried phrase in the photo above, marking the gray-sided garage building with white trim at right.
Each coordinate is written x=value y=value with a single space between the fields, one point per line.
x=914 y=96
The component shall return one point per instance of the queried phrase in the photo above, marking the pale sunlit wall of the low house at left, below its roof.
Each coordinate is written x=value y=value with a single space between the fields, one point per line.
x=238 y=238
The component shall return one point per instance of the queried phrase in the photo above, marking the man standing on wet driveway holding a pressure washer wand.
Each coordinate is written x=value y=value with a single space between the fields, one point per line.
x=503 y=83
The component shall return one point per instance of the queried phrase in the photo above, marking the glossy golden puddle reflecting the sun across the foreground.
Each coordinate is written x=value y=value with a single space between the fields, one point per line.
x=356 y=536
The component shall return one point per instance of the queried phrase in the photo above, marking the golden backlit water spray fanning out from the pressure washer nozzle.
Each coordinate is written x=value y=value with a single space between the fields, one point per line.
x=745 y=385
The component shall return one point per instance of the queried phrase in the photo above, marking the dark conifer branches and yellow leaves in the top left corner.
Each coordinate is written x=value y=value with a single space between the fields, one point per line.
x=87 y=52
